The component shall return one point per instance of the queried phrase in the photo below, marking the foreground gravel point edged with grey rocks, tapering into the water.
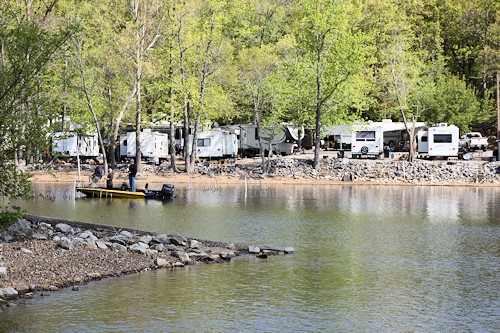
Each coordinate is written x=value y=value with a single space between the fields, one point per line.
x=39 y=255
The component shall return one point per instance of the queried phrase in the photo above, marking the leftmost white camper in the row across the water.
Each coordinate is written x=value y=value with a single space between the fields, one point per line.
x=70 y=144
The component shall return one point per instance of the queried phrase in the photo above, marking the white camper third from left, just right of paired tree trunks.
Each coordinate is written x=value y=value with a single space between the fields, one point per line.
x=215 y=143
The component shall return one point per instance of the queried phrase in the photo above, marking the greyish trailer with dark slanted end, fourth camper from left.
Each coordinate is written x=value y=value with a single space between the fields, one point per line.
x=283 y=138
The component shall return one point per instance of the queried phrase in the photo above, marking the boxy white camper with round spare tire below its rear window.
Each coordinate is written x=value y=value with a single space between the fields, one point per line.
x=367 y=140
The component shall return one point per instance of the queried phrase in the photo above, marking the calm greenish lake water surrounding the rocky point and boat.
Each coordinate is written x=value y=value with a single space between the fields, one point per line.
x=368 y=259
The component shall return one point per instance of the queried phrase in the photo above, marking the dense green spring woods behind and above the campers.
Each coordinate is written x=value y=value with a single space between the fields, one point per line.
x=111 y=63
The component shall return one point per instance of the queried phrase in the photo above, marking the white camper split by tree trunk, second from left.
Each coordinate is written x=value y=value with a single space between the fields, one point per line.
x=154 y=146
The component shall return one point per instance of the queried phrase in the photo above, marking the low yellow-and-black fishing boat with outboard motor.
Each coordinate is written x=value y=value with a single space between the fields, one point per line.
x=166 y=192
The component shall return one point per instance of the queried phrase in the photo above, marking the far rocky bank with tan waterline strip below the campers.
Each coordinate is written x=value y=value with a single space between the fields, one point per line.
x=298 y=169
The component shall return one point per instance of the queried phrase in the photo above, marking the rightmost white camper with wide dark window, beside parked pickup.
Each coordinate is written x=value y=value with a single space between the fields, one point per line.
x=439 y=141
